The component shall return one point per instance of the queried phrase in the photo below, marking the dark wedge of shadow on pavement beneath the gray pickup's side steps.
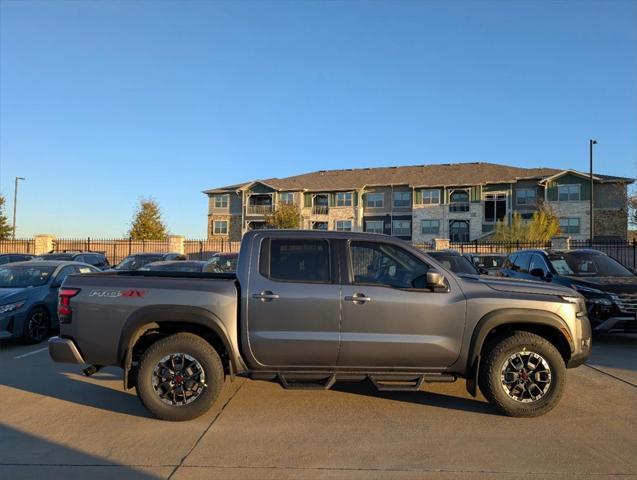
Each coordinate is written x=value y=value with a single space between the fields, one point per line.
x=423 y=397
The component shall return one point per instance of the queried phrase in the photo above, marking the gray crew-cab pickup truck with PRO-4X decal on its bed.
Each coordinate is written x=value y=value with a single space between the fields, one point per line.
x=309 y=308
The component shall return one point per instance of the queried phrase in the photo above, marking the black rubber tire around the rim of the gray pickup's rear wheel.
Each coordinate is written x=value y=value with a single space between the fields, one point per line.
x=196 y=348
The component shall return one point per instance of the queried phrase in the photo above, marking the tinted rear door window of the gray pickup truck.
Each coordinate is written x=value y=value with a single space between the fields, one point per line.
x=297 y=261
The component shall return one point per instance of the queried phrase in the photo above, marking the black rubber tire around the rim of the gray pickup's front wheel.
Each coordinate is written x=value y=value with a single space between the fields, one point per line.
x=491 y=367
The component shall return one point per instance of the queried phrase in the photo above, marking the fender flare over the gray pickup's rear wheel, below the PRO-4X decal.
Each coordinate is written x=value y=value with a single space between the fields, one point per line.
x=151 y=317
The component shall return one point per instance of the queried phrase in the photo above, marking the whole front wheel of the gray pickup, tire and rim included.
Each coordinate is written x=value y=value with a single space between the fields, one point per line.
x=522 y=375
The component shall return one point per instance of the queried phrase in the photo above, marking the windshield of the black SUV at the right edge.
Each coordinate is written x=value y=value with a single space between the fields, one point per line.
x=584 y=264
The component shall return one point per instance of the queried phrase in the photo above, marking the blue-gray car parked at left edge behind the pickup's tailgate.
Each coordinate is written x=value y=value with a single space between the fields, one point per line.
x=29 y=296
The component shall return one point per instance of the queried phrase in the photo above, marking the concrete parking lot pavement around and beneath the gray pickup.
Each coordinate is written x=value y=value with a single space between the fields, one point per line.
x=55 y=423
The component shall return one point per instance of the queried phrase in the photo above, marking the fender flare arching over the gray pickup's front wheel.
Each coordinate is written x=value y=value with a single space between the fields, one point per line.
x=509 y=317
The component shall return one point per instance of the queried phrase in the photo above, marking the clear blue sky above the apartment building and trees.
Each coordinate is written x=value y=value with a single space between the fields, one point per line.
x=104 y=102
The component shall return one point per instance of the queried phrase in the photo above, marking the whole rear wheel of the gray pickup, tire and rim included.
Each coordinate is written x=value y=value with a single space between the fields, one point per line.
x=179 y=377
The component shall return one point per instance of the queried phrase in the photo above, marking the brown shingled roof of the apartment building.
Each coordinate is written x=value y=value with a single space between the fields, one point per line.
x=448 y=174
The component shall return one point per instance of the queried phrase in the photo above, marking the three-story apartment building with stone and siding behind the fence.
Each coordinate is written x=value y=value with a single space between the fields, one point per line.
x=461 y=202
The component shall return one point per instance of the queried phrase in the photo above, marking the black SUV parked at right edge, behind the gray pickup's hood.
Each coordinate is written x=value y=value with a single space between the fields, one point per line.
x=610 y=289
